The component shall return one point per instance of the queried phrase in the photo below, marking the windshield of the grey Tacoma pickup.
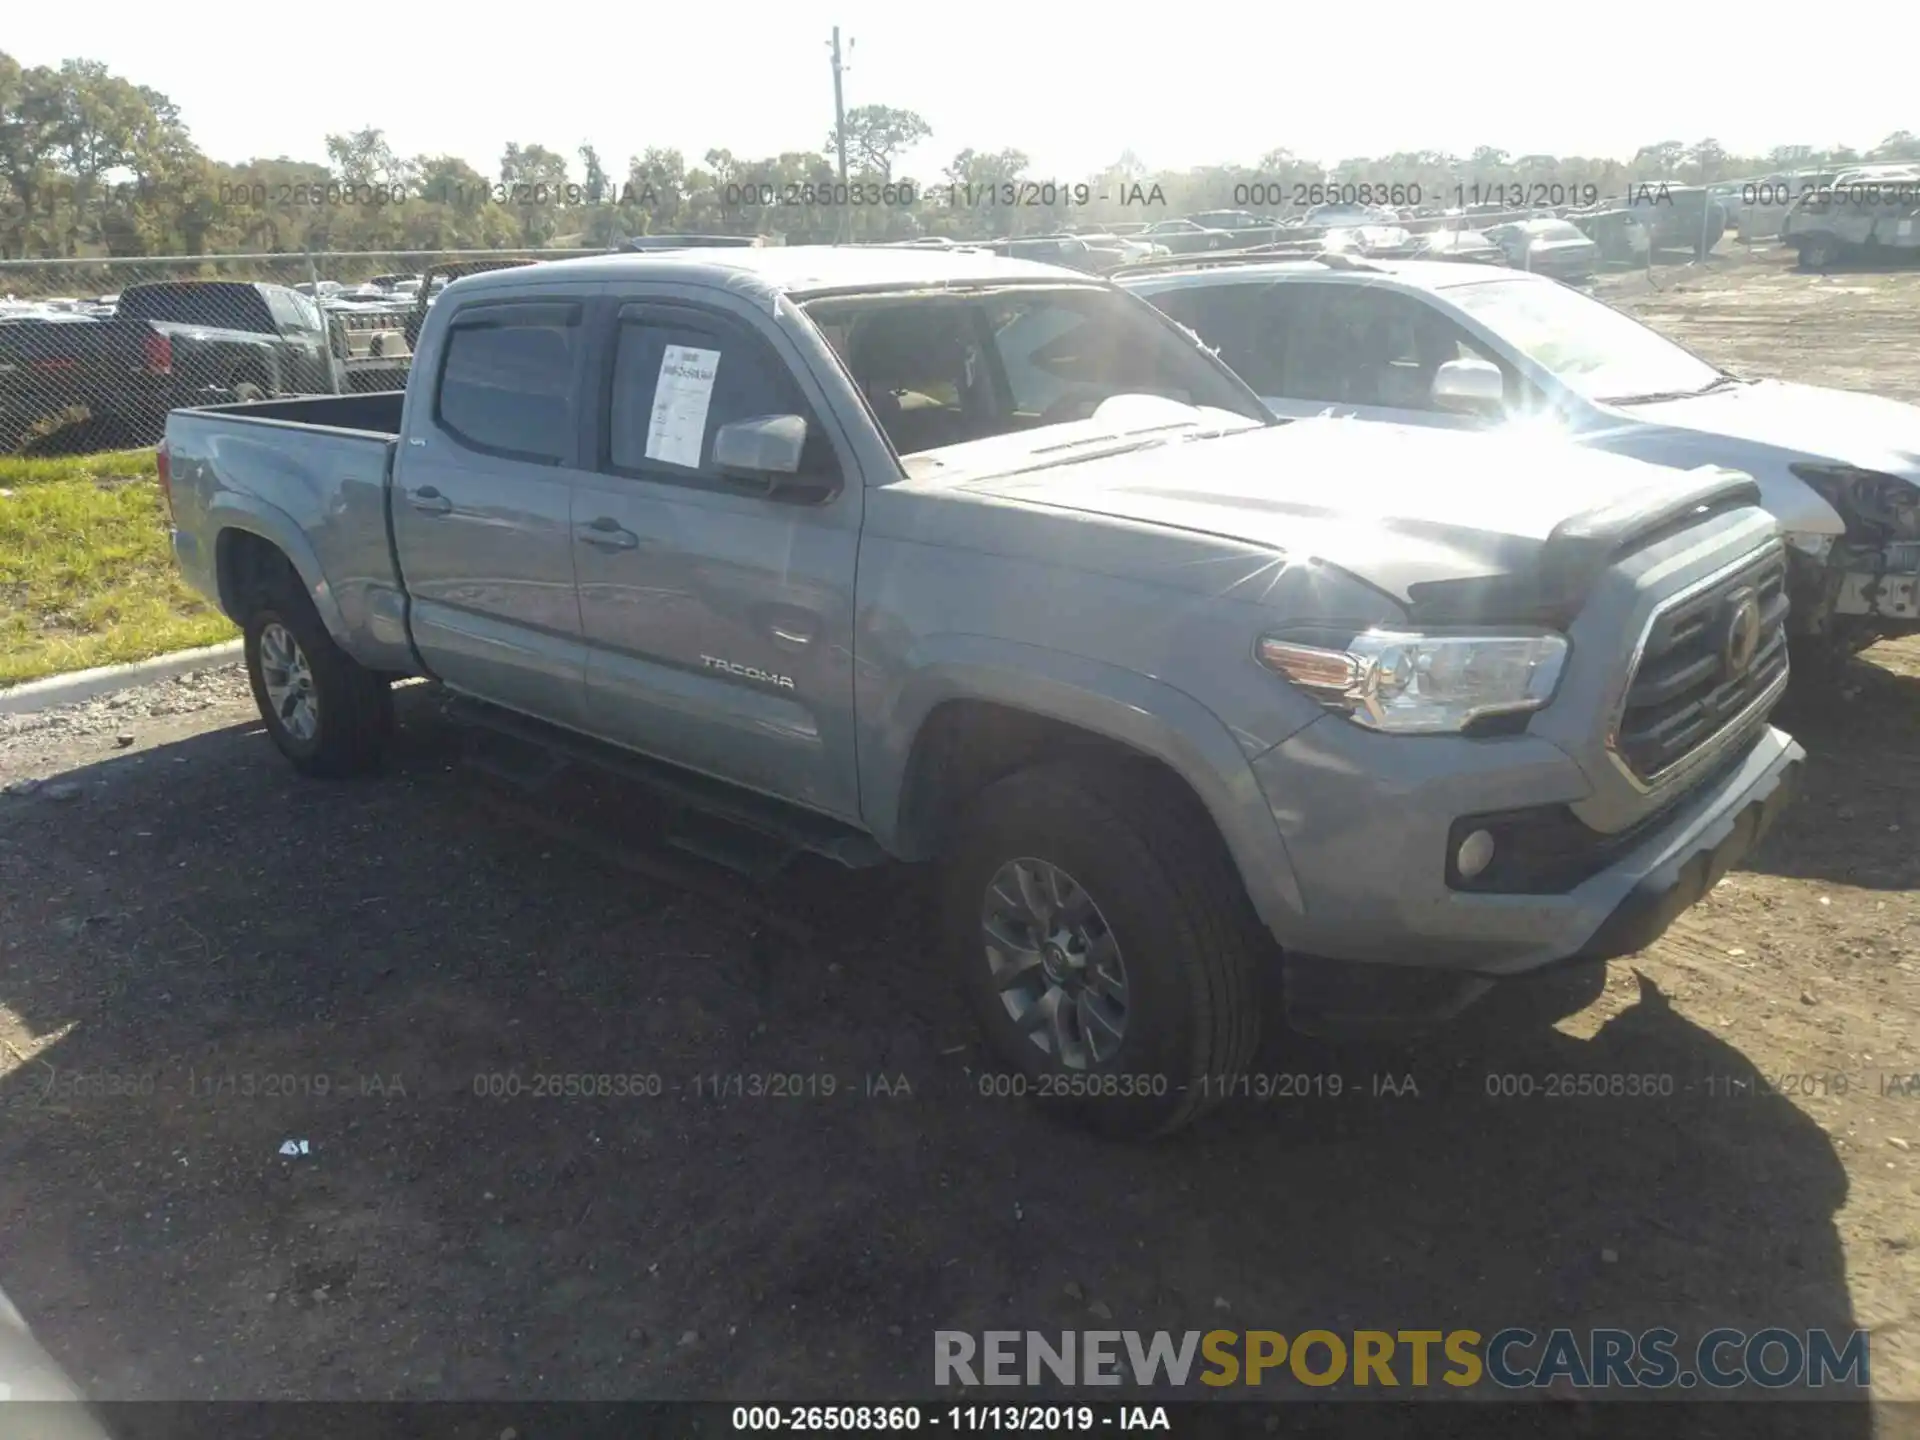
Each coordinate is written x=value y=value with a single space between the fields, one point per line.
x=963 y=368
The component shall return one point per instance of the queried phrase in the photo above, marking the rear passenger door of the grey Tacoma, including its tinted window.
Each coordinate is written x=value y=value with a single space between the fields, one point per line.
x=483 y=504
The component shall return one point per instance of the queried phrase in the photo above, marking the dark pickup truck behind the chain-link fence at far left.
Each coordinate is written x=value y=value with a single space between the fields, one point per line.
x=168 y=345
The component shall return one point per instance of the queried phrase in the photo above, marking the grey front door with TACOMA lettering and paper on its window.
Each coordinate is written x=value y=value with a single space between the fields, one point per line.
x=719 y=621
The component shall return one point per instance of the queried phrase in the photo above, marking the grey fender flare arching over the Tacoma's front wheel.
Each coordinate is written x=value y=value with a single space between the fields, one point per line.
x=1120 y=706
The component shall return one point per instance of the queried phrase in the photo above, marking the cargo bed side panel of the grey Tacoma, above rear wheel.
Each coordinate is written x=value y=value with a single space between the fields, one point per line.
x=314 y=492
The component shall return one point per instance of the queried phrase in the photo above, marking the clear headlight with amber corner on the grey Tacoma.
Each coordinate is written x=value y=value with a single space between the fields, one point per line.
x=1424 y=684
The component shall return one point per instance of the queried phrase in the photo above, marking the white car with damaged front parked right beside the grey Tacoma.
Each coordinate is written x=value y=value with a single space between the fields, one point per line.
x=1460 y=348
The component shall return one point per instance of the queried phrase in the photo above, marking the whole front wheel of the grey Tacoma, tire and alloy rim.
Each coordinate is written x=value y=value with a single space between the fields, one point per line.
x=1105 y=944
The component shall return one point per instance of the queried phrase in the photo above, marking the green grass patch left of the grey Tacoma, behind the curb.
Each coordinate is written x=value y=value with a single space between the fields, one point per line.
x=85 y=569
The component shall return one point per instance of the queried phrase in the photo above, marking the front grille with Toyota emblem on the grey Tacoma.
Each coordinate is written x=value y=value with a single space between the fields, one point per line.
x=1691 y=686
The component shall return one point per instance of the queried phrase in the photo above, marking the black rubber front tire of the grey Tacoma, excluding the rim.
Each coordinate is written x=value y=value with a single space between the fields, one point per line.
x=1189 y=942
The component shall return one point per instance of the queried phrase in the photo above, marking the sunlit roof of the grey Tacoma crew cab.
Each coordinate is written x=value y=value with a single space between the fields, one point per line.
x=792 y=270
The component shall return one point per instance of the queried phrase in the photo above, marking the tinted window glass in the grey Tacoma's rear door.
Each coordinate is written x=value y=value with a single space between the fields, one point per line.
x=508 y=381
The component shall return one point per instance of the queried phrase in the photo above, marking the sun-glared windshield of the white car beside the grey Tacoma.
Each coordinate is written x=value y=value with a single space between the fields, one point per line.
x=1591 y=348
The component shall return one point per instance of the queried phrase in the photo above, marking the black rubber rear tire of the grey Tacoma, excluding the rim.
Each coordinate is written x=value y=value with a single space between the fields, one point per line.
x=352 y=706
